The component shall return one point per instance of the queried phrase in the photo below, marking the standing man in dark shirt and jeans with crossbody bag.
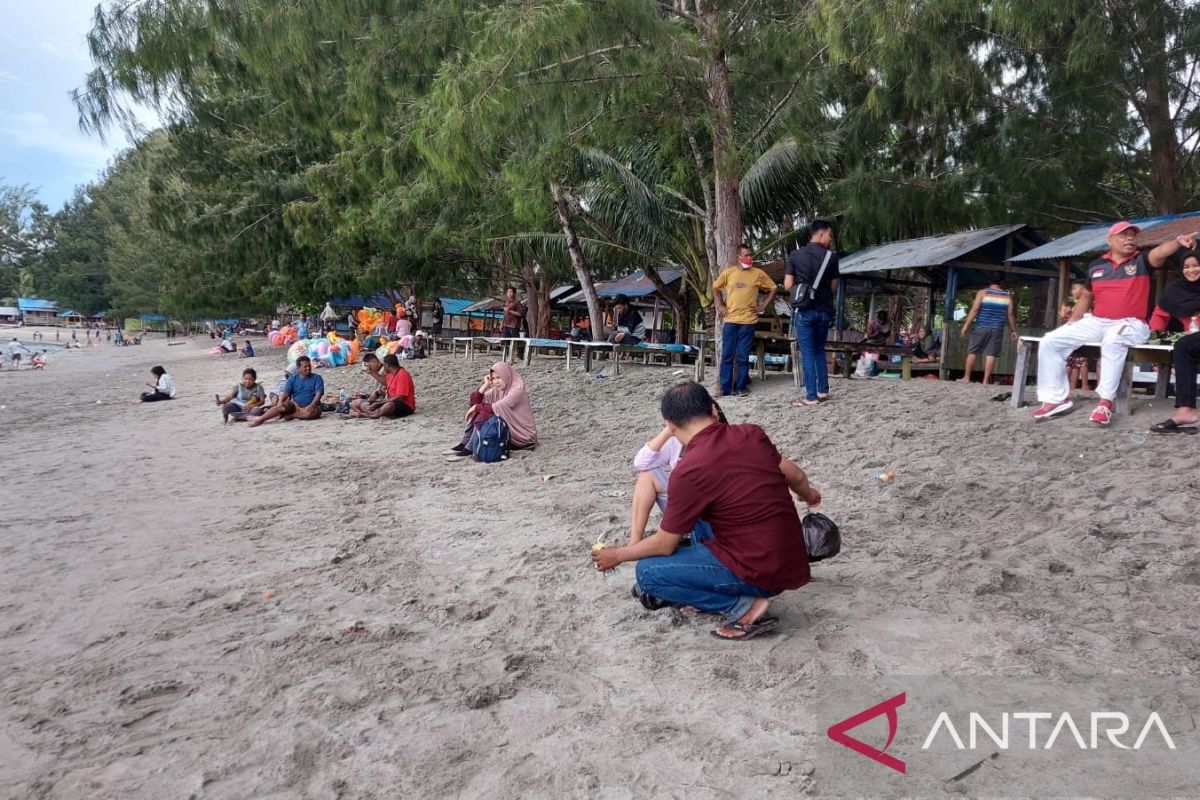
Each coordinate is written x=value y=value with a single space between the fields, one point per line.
x=812 y=324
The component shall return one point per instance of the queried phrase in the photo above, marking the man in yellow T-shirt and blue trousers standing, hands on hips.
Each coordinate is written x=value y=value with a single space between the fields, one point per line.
x=740 y=306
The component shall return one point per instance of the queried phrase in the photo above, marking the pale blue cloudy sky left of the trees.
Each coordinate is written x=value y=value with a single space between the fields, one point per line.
x=44 y=56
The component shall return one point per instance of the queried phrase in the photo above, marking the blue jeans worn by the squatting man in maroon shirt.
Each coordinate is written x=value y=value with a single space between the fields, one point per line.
x=693 y=576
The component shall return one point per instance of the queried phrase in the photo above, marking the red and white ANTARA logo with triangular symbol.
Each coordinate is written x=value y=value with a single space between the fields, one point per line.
x=1106 y=729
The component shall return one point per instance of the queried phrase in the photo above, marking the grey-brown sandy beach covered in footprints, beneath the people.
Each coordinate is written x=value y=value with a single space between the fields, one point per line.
x=329 y=610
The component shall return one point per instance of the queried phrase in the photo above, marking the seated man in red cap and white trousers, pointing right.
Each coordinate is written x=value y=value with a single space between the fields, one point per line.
x=1112 y=311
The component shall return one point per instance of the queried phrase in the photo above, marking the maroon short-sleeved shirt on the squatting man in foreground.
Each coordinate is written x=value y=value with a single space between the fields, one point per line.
x=729 y=477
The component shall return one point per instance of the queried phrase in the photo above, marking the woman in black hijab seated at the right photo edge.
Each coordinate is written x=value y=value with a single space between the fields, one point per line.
x=1181 y=300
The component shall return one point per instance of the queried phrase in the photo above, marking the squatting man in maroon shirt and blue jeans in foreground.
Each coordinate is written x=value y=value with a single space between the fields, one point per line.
x=752 y=549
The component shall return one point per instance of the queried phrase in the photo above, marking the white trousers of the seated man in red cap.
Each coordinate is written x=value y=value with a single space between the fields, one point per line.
x=1117 y=336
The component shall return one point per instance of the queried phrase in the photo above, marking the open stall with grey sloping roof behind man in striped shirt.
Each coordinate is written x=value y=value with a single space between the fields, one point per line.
x=952 y=267
